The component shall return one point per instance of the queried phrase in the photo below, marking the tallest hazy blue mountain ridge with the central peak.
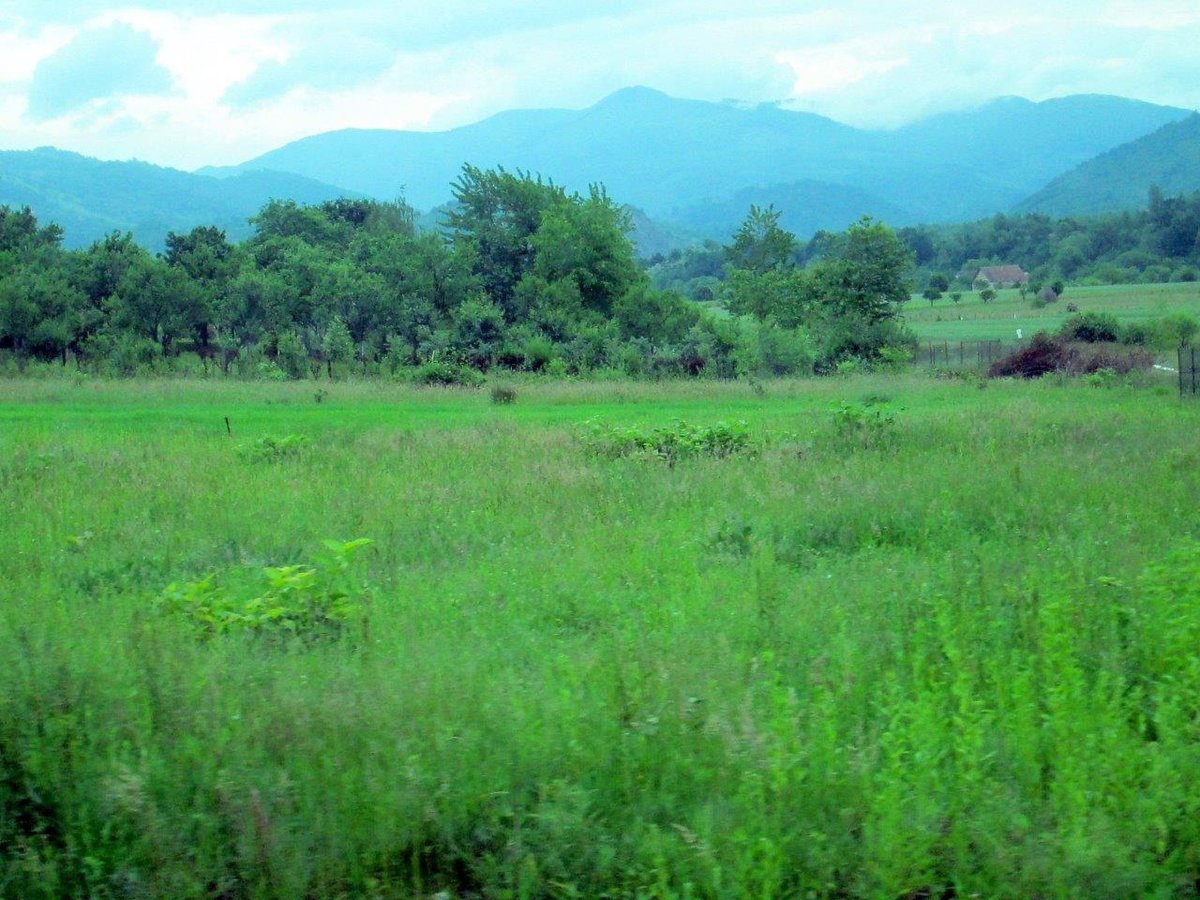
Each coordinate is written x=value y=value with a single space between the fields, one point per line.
x=685 y=160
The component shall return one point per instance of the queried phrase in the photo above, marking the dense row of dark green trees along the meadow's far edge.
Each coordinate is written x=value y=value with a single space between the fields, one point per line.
x=523 y=275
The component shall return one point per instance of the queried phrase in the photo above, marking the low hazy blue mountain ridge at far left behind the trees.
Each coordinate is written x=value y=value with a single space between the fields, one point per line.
x=91 y=199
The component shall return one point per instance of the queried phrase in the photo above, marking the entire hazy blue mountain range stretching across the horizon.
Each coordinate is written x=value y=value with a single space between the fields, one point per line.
x=693 y=167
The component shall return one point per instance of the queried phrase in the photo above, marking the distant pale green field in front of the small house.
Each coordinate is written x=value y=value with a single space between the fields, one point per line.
x=971 y=320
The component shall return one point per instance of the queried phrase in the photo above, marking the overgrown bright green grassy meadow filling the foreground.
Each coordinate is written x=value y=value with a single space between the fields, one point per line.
x=941 y=645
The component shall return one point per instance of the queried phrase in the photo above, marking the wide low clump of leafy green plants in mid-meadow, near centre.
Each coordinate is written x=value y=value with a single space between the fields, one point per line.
x=673 y=443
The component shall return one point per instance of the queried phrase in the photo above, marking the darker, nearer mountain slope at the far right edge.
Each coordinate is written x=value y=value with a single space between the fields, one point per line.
x=1121 y=178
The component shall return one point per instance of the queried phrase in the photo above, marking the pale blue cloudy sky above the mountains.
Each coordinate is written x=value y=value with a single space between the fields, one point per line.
x=189 y=83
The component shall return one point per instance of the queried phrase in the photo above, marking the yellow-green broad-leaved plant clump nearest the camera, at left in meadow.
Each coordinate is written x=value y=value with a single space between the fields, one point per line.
x=309 y=603
